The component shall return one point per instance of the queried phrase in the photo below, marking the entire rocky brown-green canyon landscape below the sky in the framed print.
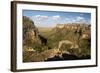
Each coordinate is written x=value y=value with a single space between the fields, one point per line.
x=64 y=42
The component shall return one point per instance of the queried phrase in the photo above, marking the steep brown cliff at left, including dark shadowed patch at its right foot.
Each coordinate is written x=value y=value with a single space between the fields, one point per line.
x=32 y=40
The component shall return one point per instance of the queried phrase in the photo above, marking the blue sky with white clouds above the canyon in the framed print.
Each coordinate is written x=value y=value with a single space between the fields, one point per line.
x=52 y=18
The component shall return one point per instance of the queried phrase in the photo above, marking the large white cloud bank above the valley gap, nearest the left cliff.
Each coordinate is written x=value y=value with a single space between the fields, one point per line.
x=45 y=20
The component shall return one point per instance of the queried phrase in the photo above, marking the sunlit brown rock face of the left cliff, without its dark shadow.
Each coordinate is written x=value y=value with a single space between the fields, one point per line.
x=30 y=34
